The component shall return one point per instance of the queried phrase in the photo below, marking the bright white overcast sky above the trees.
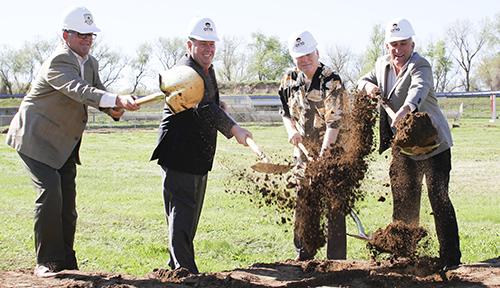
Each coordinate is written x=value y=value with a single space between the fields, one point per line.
x=126 y=23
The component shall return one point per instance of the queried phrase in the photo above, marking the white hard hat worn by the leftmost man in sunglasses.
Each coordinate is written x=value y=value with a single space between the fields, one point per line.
x=79 y=19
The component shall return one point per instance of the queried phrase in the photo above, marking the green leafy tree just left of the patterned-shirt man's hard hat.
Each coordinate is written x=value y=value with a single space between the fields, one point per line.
x=269 y=57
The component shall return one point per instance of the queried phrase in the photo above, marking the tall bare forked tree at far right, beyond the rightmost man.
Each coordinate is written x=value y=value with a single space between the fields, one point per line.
x=467 y=43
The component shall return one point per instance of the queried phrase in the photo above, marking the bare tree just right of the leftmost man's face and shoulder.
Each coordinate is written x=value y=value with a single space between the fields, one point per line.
x=111 y=63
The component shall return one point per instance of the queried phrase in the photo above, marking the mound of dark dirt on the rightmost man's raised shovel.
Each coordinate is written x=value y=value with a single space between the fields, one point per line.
x=415 y=129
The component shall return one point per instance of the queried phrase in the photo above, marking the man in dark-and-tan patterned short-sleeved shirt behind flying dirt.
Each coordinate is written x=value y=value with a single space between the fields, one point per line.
x=310 y=94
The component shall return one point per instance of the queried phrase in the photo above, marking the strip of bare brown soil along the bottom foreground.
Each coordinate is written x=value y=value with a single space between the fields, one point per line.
x=345 y=273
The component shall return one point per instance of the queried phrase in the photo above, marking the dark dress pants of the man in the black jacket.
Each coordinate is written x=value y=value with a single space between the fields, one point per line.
x=183 y=195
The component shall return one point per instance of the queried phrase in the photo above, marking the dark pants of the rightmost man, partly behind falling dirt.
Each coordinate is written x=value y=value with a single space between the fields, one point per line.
x=406 y=183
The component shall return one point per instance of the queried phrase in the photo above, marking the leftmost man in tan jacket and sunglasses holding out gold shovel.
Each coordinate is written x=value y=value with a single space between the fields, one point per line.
x=47 y=132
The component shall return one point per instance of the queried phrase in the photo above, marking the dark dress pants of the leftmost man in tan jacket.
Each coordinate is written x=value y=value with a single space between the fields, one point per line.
x=55 y=211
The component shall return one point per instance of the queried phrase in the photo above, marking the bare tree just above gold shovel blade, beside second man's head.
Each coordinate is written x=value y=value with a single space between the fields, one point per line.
x=169 y=51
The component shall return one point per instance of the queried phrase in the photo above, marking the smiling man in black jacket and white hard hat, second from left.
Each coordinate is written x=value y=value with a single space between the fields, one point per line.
x=186 y=147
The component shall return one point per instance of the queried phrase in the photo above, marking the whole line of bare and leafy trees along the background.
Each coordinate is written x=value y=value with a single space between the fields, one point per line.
x=466 y=59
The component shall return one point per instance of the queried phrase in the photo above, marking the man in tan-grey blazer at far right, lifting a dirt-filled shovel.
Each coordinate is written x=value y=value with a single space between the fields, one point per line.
x=405 y=79
